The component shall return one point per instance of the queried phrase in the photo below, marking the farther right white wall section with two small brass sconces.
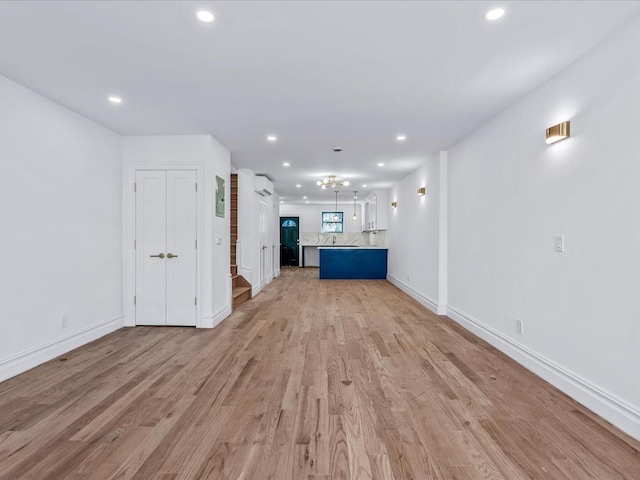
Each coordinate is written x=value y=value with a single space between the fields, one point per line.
x=413 y=234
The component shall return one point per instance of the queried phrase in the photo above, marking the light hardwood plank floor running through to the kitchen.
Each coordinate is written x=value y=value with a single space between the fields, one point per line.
x=309 y=380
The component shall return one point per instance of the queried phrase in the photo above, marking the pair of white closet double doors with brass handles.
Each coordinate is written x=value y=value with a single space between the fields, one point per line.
x=165 y=247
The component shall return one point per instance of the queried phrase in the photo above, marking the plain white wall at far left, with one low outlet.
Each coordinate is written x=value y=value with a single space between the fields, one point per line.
x=61 y=239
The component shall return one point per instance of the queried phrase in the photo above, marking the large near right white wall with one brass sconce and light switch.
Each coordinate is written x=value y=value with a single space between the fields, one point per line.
x=510 y=194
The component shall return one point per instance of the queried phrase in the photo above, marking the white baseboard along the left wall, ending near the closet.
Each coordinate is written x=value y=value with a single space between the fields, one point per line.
x=28 y=359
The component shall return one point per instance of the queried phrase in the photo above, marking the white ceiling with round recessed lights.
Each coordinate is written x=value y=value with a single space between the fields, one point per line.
x=315 y=73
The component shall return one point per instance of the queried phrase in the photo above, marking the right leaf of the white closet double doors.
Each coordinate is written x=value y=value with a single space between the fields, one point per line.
x=181 y=247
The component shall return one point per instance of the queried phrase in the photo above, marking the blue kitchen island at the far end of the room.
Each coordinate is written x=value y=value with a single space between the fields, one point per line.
x=356 y=263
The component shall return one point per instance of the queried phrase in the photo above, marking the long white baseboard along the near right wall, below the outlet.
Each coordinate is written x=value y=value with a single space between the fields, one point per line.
x=617 y=411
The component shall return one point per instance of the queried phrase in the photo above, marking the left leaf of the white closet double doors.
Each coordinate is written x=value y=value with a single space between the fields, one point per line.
x=151 y=227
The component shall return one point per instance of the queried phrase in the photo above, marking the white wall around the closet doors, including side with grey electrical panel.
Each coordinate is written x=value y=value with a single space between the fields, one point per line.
x=210 y=158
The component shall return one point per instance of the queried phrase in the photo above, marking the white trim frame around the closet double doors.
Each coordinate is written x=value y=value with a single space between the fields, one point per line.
x=128 y=238
